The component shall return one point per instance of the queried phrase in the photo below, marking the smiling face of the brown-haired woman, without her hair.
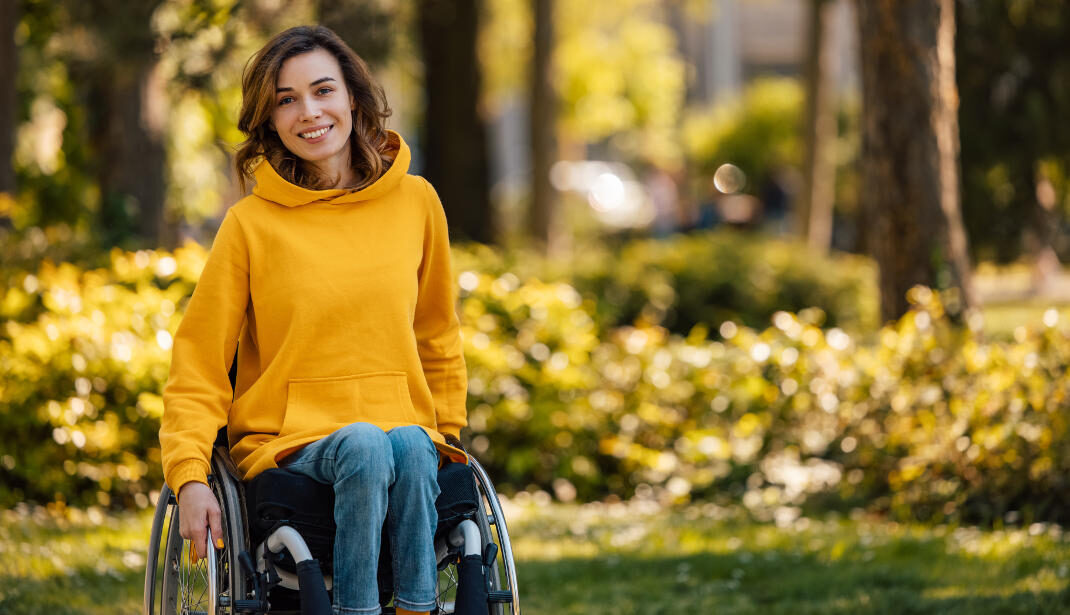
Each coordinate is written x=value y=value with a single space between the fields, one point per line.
x=313 y=112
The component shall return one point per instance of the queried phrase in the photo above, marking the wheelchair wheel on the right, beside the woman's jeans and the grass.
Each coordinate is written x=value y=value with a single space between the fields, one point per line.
x=505 y=597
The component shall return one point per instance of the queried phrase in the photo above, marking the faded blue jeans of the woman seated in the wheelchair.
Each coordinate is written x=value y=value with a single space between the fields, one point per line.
x=379 y=475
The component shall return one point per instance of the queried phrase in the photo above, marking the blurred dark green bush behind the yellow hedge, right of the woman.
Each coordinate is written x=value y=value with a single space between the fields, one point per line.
x=682 y=282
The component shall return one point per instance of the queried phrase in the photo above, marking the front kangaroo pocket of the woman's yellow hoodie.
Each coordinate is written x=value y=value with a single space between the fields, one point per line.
x=328 y=404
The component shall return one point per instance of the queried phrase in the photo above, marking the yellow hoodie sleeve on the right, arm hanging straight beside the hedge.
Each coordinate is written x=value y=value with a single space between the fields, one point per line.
x=437 y=326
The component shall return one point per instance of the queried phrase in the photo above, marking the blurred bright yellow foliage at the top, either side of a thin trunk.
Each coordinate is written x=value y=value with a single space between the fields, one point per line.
x=619 y=78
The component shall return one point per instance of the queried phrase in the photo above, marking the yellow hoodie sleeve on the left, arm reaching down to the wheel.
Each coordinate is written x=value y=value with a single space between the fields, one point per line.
x=197 y=396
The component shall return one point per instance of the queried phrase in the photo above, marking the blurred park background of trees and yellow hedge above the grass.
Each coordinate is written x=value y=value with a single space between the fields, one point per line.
x=774 y=254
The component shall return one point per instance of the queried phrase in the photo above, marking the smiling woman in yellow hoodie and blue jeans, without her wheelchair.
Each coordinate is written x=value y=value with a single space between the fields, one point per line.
x=333 y=281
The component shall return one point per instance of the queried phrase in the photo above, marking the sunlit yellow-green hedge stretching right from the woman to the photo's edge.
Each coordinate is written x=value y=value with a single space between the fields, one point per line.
x=928 y=422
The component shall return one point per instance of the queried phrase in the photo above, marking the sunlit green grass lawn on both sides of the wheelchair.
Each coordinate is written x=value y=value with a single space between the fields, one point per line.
x=625 y=559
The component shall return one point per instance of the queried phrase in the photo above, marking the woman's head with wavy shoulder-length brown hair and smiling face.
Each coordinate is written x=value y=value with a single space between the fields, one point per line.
x=307 y=82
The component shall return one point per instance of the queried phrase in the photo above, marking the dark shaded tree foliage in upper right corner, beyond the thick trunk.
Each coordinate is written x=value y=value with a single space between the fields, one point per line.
x=1015 y=67
